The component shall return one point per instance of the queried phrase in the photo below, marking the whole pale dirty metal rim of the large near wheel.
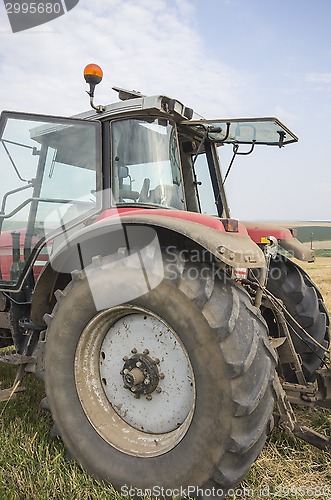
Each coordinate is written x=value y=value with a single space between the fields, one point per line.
x=144 y=424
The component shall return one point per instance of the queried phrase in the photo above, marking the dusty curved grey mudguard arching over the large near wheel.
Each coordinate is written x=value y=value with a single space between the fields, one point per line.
x=120 y=236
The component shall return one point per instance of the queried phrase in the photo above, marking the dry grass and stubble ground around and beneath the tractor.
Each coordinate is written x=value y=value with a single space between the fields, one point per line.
x=34 y=466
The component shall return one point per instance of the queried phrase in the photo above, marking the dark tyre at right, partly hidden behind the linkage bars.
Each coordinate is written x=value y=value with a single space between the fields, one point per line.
x=302 y=299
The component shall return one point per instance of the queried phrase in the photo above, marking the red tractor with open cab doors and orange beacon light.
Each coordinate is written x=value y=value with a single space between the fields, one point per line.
x=171 y=338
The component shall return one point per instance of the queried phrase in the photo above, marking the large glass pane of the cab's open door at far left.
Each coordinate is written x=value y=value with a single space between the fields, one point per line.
x=49 y=174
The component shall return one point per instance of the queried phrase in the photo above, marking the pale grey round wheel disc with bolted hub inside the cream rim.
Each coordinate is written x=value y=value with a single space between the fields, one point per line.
x=153 y=390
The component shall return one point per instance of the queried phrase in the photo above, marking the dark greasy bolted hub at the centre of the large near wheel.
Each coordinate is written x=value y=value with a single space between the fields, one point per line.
x=140 y=374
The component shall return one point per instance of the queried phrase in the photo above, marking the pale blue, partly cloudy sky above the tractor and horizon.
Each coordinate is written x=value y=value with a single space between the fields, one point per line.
x=224 y=58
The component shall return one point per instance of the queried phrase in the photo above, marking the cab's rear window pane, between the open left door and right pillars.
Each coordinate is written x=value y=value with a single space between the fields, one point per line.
x=145 y=163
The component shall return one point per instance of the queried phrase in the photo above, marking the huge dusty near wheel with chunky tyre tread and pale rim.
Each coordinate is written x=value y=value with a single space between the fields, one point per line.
x=173 y=389
